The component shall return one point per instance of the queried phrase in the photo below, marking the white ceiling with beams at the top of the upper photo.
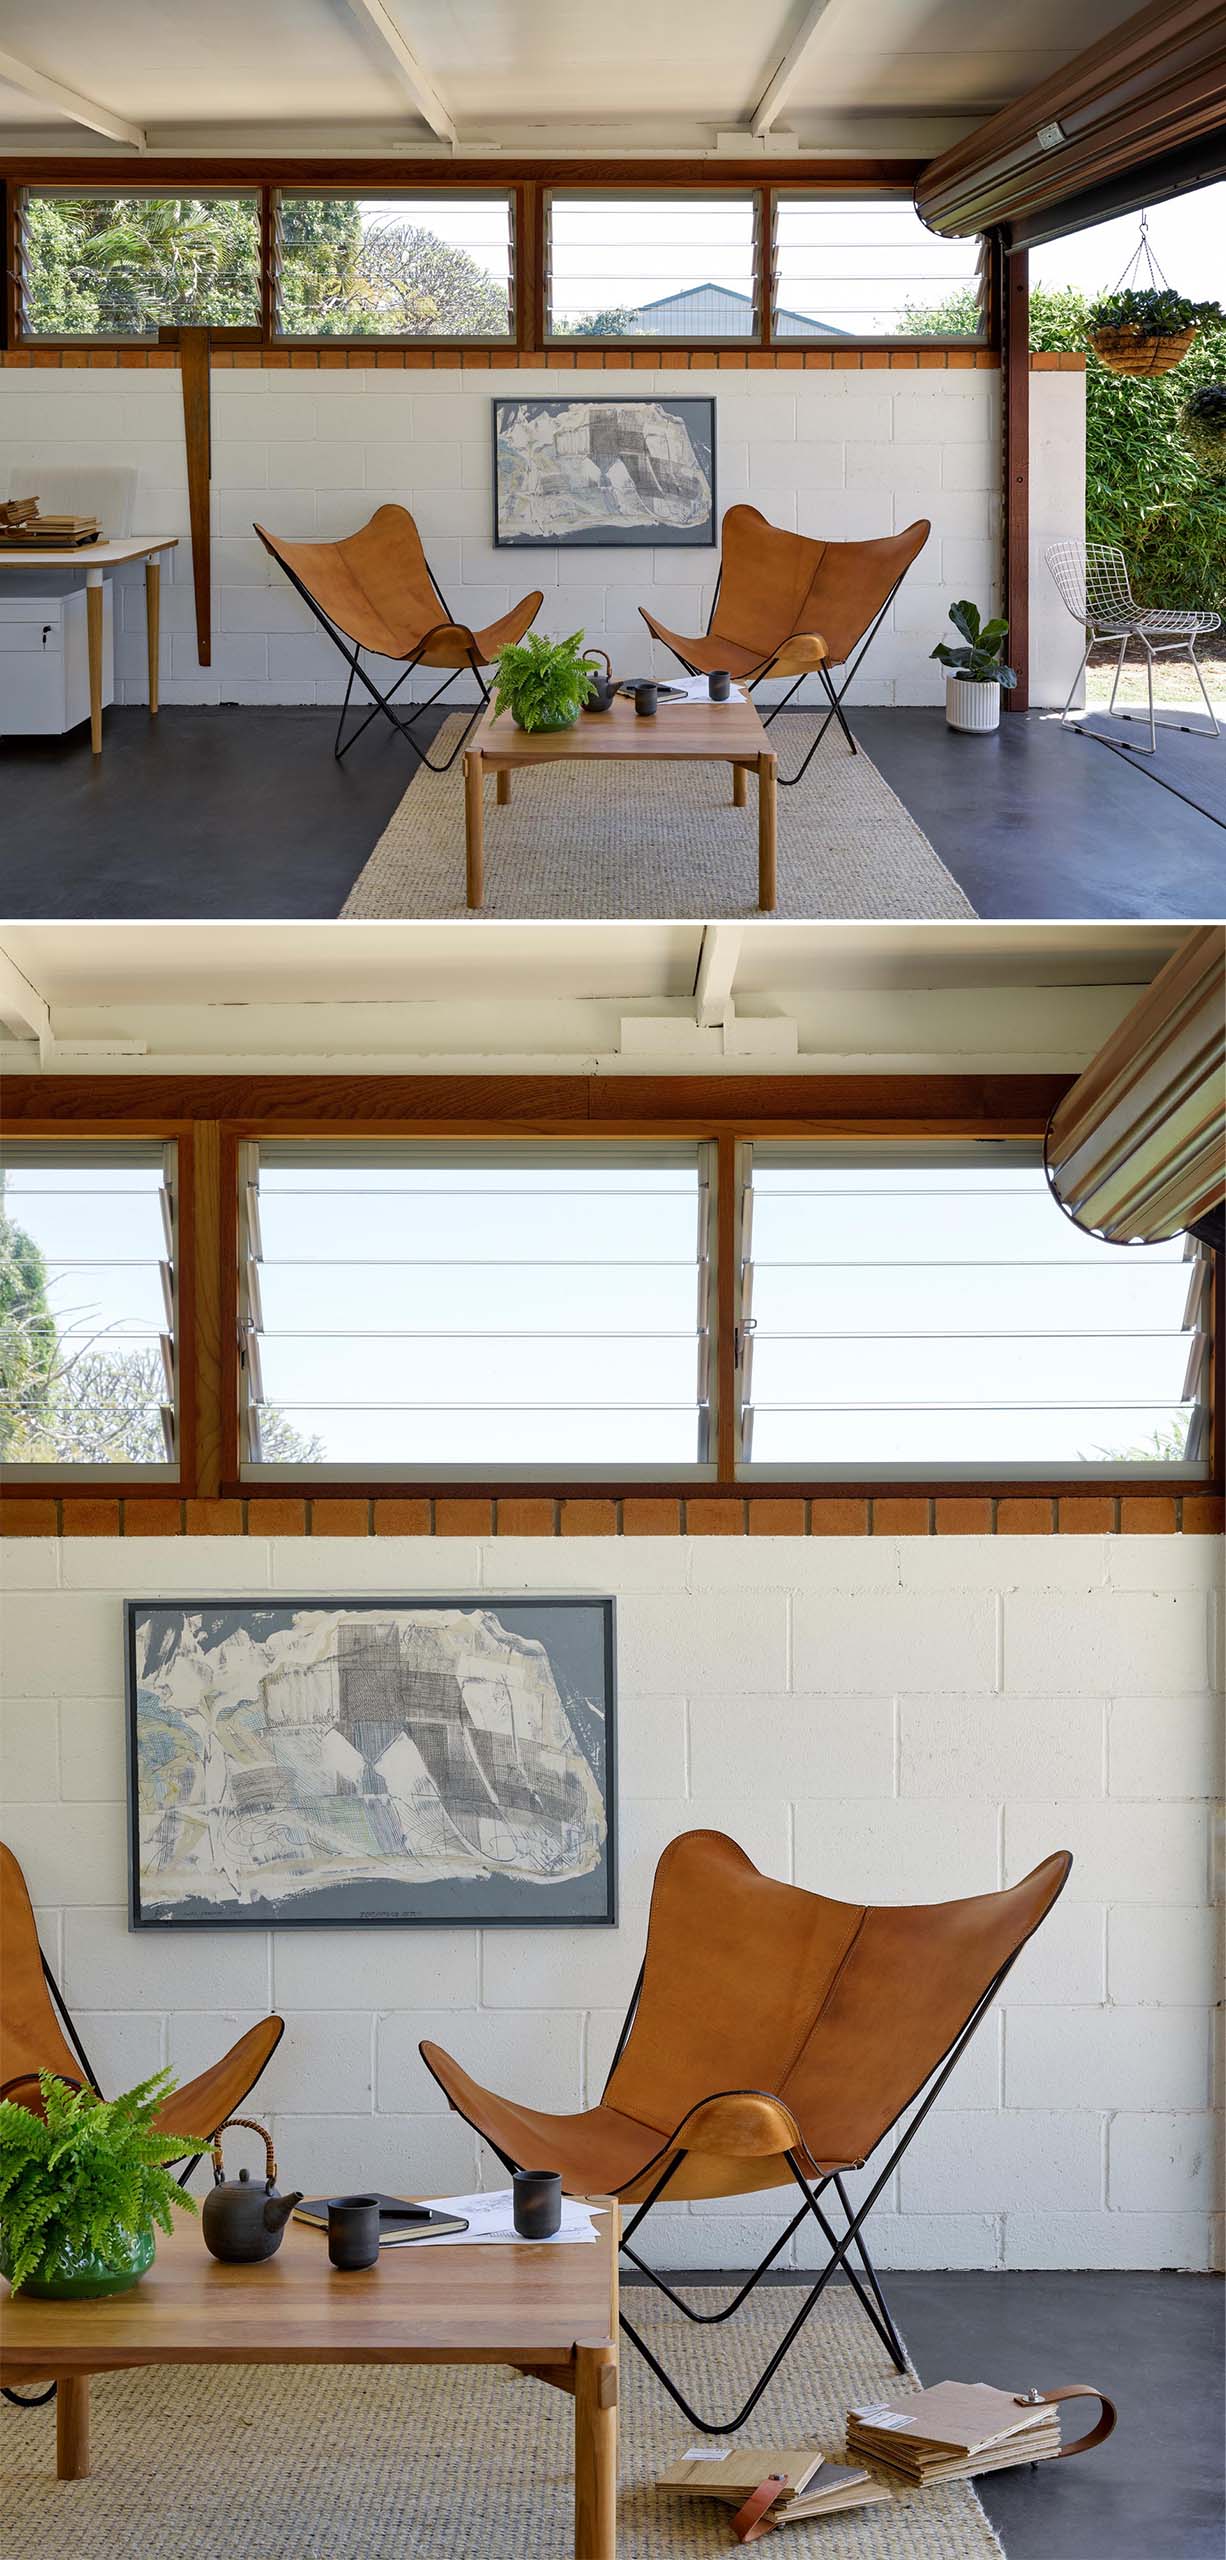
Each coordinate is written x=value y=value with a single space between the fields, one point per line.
x=529 y=76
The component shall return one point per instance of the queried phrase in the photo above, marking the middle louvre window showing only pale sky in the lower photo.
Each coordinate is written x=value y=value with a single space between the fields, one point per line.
x=485 y=1309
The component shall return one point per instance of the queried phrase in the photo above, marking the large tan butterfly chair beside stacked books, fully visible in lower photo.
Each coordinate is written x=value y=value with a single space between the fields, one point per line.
x=774 y=2039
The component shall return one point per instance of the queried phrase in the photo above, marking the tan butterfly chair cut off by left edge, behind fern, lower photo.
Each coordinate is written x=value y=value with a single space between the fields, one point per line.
x=35 y=2021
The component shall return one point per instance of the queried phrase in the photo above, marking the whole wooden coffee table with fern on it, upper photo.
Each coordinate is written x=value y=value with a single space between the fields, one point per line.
x=682 y=733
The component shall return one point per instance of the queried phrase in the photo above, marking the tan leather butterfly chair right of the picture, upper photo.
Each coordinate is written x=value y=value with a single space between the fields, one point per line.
x=795 y=608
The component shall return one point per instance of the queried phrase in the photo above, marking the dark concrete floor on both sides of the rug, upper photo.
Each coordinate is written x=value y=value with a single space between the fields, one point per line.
x=242 y=813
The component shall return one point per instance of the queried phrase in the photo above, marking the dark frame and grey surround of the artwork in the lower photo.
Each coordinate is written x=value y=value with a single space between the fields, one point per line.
x=470 y=1903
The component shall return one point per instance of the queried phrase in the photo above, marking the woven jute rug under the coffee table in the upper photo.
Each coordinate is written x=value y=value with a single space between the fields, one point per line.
x=636 y=841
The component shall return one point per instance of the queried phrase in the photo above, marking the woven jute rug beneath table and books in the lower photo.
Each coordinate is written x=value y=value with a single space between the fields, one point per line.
x=439 y=2464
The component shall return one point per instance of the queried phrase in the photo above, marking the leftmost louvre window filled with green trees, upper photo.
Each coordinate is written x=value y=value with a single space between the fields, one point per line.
x=104 y=265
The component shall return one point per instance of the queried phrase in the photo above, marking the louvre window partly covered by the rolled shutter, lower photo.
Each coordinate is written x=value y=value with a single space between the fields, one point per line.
x=933 y=1312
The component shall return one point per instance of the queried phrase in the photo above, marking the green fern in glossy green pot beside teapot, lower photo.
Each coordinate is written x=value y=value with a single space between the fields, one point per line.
x=86 y=2175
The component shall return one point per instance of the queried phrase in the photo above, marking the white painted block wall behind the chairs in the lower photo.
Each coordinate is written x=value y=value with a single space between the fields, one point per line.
x=877 y=1719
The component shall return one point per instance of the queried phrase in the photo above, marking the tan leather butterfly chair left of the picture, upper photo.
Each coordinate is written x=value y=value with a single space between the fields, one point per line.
x=380 y=593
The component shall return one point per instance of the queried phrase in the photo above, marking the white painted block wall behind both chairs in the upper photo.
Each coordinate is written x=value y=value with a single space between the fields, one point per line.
x=841 y=454
